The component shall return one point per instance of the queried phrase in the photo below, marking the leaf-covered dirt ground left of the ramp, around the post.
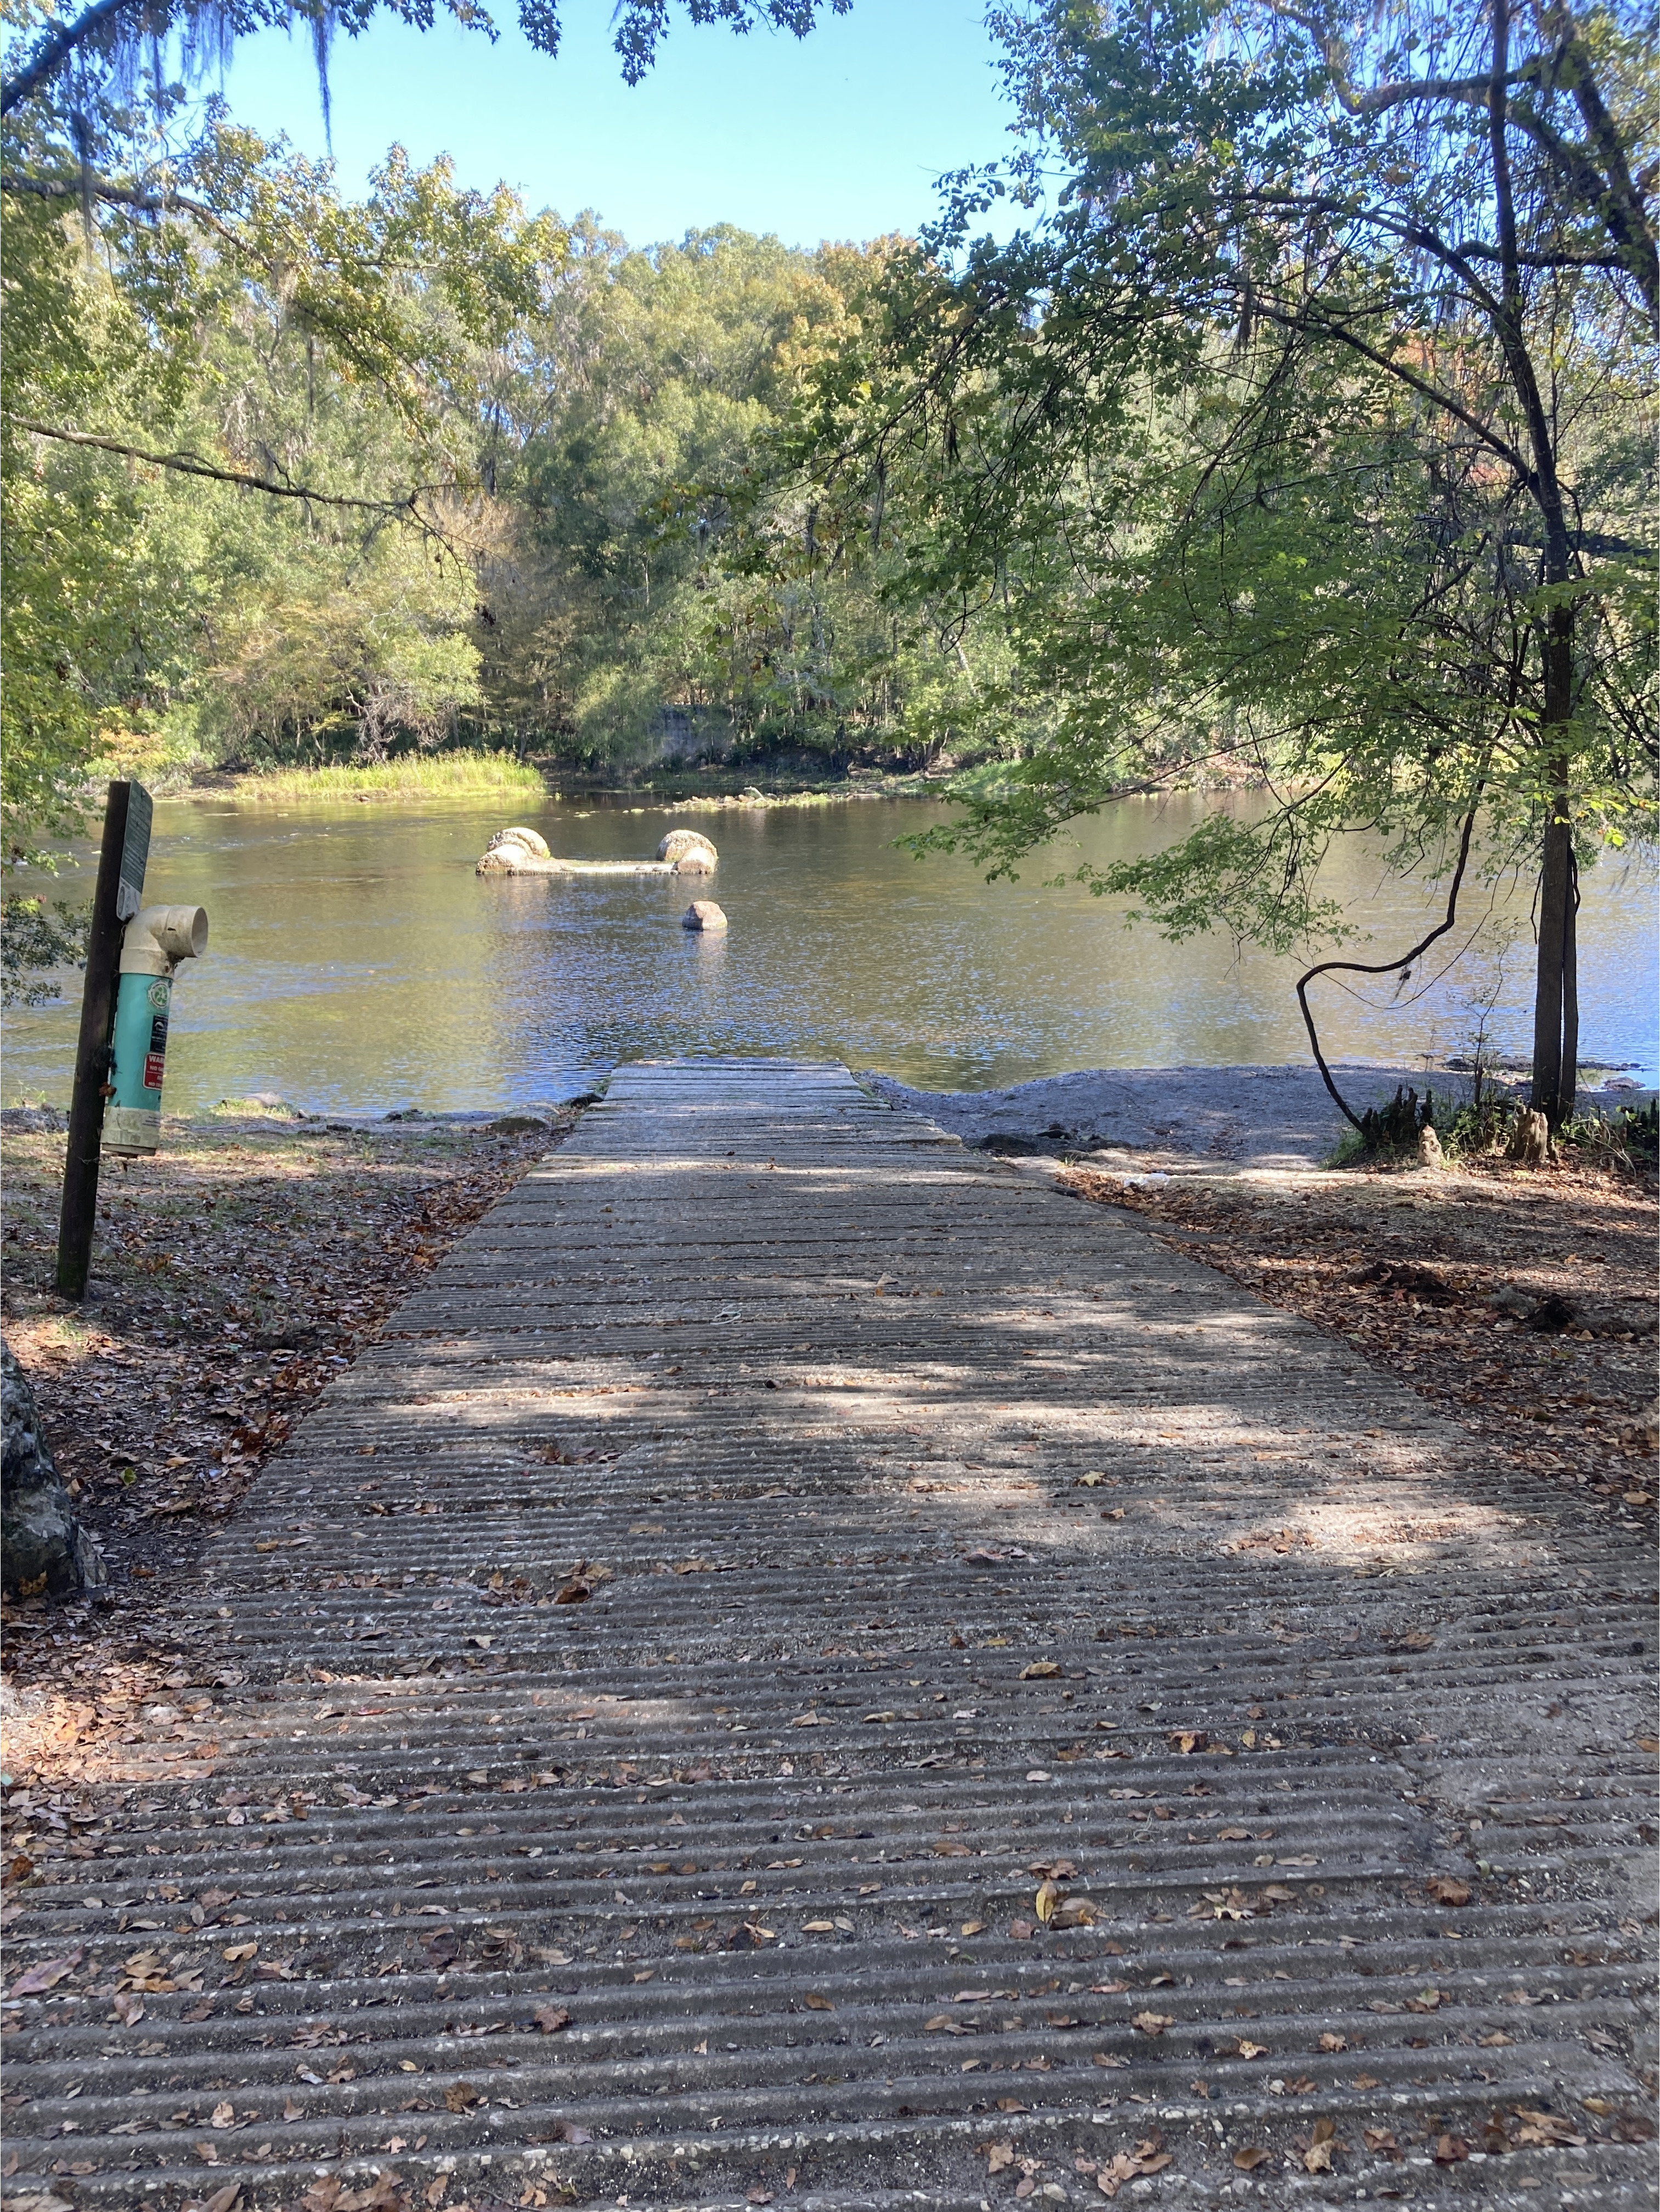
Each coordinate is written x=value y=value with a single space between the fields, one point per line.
x=234 y=1275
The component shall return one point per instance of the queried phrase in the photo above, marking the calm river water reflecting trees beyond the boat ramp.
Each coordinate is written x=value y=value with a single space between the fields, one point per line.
x=360 y=966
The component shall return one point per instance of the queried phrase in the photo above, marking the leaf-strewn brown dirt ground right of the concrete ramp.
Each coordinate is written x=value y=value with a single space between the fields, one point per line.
x=1517 y=1302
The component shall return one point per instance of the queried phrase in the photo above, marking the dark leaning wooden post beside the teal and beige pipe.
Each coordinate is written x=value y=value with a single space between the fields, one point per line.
x=118 y=895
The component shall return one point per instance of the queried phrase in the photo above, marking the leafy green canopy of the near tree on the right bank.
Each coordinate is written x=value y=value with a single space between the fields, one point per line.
x=1274 y=457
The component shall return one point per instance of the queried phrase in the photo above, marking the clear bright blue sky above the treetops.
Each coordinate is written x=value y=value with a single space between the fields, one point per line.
x=838 y=136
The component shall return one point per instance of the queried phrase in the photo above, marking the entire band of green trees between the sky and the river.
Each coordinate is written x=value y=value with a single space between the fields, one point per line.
x=1307 y=444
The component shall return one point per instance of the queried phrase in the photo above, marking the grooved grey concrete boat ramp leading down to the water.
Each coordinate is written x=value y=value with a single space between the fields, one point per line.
x=944 y=1536
